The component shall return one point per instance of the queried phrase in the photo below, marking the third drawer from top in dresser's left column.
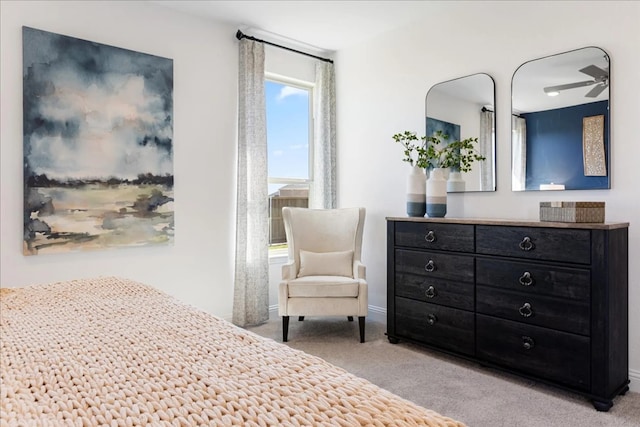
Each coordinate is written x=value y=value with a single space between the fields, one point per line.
x=436 y=291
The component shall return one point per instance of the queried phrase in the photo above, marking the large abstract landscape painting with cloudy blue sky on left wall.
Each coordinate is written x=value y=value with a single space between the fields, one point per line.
x=97 y=146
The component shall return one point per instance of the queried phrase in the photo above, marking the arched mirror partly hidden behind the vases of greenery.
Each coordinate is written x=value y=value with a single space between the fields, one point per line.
x=464 y=108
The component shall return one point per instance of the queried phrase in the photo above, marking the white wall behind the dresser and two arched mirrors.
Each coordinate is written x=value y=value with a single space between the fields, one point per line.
x=382 y=86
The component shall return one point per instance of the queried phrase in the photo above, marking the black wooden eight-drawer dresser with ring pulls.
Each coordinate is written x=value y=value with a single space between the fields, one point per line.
x=544 y=300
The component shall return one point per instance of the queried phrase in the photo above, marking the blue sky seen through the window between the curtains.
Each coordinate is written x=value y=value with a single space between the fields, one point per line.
x=287 y=131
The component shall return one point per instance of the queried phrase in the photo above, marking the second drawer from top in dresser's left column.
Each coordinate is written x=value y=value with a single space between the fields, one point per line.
x=435 y=265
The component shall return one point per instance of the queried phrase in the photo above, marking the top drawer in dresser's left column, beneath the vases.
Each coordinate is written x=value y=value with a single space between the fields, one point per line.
x=428 y=235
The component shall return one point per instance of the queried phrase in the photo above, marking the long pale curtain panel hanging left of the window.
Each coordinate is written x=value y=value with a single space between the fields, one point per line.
x=251 y=288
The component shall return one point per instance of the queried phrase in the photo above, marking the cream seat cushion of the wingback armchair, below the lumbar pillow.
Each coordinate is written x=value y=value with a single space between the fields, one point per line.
x=323 y=286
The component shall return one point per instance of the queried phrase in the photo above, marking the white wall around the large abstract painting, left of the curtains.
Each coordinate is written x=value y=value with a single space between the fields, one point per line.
x=198 y=268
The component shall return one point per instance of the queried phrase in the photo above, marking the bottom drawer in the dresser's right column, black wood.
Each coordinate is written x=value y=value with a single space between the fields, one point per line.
x=557 y=356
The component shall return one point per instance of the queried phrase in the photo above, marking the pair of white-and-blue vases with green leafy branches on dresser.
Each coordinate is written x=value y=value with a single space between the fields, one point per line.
x=433 y=154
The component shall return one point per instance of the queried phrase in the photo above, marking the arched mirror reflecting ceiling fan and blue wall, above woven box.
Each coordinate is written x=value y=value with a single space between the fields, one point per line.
x=560 y=122
